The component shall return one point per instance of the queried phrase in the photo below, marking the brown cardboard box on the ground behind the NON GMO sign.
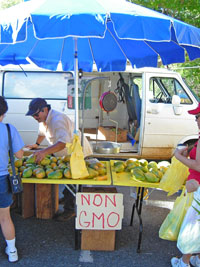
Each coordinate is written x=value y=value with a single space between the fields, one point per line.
x=103 y=240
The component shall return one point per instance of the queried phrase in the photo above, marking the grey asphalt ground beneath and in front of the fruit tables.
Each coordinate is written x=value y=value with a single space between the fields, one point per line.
x=51 y=243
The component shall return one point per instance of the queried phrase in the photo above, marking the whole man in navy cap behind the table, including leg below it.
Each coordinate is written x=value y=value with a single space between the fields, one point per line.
x=58 y=129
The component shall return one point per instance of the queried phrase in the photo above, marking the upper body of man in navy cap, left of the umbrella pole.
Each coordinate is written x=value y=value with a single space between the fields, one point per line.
x=55 y=126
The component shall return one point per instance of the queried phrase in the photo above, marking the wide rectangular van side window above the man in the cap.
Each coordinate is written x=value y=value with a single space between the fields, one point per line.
x=48 y=85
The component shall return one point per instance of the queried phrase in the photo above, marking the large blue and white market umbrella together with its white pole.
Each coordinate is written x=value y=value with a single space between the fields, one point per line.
x=79 y=33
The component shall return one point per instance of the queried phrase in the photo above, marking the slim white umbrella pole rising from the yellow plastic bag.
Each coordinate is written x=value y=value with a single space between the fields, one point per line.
x=76 y=86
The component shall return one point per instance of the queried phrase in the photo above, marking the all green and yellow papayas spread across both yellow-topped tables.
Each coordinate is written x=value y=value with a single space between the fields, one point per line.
x=52 y=167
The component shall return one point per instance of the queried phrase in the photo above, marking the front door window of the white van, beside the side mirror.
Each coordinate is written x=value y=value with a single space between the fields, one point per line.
x=162 y=90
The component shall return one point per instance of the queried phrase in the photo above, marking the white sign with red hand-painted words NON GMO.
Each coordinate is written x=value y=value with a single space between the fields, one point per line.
x=99 y=211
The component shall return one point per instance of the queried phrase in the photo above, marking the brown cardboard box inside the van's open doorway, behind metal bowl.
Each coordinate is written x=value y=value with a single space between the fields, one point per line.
x=110 y=134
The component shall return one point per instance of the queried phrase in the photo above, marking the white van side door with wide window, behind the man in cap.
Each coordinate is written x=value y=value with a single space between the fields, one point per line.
x=20 y=87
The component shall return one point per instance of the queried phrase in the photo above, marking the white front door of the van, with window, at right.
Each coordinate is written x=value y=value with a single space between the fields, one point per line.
x=163 y=125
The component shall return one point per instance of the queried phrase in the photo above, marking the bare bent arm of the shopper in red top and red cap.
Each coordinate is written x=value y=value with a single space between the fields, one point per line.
x=190 y=163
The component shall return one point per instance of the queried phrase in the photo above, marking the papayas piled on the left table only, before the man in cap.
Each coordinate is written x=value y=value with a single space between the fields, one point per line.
x=52 y=167
